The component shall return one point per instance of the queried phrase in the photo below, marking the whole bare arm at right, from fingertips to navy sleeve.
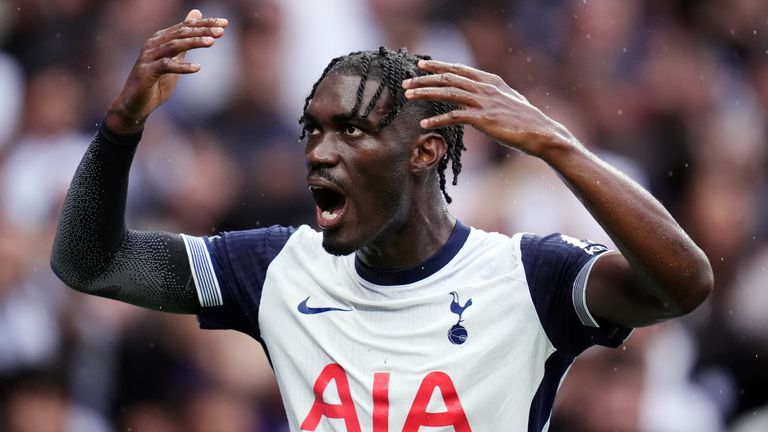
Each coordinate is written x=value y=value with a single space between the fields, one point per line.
x=658 y=272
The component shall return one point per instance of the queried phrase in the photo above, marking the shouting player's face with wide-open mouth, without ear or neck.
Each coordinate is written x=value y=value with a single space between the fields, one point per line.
x=358 y=175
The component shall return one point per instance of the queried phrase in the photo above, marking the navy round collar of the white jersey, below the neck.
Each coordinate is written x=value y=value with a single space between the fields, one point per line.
x=421 y=271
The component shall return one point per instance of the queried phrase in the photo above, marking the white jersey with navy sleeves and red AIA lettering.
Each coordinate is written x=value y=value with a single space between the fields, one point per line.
x=476 y=338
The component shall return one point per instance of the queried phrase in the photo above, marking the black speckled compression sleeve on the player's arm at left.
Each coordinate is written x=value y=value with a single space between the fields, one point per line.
x=93 y=251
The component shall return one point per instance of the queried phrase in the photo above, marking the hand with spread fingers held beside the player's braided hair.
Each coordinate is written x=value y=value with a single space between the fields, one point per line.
x=488 y=104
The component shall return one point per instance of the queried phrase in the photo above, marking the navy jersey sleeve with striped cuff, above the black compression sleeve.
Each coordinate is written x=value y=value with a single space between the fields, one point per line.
x=229 y=270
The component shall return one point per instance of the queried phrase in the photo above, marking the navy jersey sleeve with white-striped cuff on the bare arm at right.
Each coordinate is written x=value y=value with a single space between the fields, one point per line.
x=557 y=270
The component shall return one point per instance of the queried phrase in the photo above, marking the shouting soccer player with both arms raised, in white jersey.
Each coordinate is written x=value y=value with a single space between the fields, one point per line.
x=395 y=316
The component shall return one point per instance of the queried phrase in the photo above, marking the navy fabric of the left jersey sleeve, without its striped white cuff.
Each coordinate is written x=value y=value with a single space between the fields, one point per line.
x=240 y=260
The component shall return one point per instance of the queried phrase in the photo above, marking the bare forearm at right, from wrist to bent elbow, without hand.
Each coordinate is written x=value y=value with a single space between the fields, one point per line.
x=667 y=264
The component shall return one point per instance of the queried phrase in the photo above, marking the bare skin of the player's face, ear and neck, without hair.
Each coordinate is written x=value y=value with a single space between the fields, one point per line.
x=393 y=218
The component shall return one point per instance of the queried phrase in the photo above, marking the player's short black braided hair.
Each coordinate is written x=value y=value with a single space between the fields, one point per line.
x=391 y=68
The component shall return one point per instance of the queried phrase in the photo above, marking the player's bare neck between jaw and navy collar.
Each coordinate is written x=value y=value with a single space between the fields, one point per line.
x=424 y=231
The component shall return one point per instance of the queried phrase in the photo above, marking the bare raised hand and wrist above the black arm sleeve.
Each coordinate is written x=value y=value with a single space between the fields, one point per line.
x=156 y=71
